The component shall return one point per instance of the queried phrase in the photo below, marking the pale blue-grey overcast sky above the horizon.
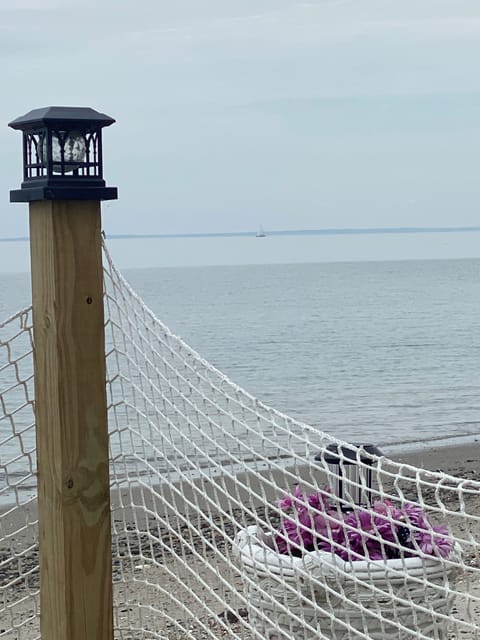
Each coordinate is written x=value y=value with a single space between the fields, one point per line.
x=234 y=113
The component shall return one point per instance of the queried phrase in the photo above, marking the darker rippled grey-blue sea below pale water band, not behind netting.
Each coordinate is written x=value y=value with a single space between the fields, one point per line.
x=385 y=352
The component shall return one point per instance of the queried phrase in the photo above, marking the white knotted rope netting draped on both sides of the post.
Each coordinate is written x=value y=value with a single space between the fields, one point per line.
x=231 y=519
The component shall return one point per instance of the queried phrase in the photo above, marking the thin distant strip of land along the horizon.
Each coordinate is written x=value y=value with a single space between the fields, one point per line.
x=280 y=232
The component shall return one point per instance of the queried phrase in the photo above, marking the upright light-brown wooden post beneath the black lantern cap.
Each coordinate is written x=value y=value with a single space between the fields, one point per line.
x=71 y=418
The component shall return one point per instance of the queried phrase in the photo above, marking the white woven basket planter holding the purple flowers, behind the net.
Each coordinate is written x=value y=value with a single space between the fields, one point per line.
x=319 y=595
